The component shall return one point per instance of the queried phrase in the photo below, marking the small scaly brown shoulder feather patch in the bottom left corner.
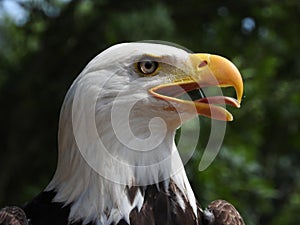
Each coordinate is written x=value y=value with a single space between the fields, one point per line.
x=12 y=215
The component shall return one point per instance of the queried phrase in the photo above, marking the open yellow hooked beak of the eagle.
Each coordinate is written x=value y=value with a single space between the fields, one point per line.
x=207 y=70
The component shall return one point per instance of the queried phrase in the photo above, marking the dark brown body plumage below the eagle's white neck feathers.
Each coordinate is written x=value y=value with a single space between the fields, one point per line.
x=160 y=207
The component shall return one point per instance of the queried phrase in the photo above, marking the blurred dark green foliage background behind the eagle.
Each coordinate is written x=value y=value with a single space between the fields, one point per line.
x=258 y=167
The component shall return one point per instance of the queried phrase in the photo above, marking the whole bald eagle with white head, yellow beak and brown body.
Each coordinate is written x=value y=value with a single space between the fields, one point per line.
x=118 y=163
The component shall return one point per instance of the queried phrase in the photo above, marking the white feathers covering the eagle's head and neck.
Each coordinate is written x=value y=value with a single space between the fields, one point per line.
x=113 y=134
